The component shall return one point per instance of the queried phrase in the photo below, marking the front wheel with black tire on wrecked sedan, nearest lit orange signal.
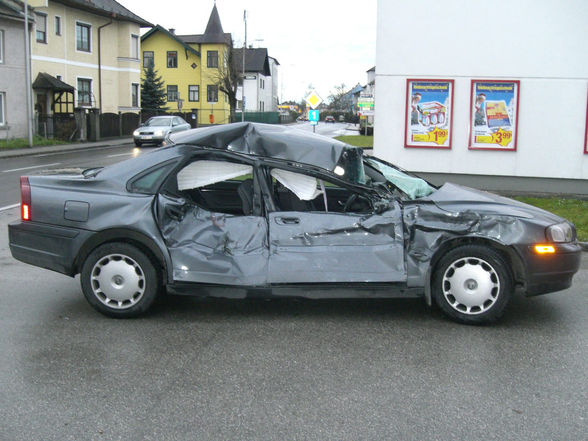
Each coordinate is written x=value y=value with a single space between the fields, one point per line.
x=472 y=284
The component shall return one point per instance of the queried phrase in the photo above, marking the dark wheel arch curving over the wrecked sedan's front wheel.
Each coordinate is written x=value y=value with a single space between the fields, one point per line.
x=511 y=256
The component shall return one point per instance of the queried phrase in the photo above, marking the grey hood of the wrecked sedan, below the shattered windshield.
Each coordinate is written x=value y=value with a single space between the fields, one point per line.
x=457 y=198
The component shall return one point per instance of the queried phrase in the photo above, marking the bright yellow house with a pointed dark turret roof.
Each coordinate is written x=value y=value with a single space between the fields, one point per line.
x=190 y=67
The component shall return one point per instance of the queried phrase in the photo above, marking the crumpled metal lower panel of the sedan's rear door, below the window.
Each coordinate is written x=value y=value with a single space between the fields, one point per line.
x=210 y=247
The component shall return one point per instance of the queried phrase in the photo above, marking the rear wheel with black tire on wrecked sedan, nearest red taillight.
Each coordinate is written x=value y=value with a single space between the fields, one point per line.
x=119 y=280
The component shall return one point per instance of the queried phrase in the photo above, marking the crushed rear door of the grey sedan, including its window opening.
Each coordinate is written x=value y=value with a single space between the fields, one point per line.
x=210 y=218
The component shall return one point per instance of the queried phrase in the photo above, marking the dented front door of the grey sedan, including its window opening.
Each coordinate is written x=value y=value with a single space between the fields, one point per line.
x=320 y=232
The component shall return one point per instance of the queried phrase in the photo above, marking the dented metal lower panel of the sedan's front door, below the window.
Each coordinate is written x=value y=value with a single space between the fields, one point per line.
x=339 y=248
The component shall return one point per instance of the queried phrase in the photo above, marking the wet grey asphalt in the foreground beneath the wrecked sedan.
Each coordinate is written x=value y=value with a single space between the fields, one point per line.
x=285 y=369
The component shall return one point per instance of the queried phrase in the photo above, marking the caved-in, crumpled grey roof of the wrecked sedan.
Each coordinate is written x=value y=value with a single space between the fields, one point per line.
x=268 y=140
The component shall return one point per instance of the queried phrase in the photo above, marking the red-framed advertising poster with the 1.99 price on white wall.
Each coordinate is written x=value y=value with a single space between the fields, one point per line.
x=429 y=107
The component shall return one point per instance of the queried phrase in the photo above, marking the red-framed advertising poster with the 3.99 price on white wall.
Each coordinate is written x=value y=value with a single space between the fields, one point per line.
x=494 y=115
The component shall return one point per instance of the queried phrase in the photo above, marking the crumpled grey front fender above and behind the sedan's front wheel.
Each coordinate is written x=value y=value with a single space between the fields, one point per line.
x=427 y=227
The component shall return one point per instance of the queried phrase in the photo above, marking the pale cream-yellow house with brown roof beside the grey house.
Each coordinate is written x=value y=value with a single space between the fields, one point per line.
x=92 y=48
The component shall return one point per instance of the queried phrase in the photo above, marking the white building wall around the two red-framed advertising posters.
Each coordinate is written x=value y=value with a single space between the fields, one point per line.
x=539 y=42
